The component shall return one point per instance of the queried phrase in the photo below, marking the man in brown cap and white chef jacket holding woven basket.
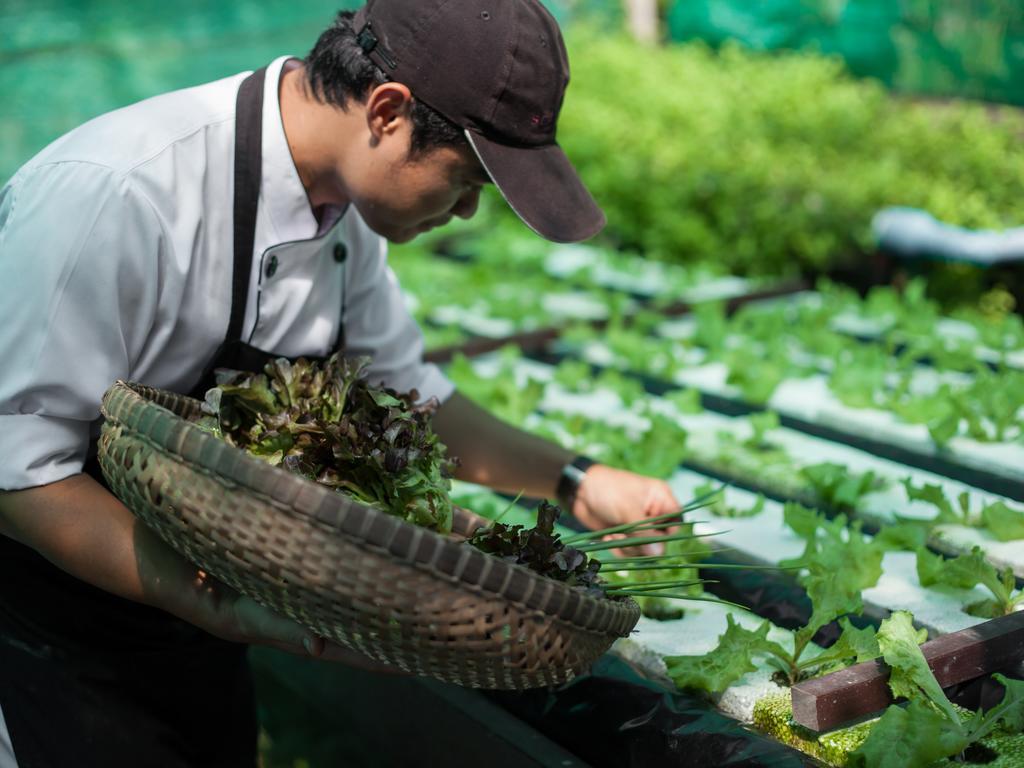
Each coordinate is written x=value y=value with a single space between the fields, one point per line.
x=220 y=227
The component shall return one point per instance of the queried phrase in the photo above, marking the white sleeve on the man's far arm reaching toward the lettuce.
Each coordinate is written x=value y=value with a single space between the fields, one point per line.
x=378 y=324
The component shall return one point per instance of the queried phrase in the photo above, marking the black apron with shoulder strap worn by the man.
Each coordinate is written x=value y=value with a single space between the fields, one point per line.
x=91 y=679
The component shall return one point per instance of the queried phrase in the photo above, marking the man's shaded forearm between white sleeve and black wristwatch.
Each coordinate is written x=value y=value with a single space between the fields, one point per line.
x=496 y=454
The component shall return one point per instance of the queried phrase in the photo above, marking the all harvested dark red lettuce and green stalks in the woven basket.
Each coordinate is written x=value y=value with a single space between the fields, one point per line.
x=326 y=423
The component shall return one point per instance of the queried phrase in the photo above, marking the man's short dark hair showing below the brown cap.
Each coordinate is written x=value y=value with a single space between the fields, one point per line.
x=337 y=71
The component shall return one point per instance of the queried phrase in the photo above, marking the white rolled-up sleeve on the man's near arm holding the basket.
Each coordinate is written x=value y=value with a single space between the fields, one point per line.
x=78 y=247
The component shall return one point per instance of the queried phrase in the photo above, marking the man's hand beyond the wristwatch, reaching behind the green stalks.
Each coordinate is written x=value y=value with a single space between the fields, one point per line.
x=612 y=497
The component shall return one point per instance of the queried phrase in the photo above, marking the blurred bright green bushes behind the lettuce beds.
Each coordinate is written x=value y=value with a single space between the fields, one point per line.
x=770 y=163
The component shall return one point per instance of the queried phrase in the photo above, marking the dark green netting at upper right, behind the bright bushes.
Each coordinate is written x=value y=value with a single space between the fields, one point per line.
x=972 y=49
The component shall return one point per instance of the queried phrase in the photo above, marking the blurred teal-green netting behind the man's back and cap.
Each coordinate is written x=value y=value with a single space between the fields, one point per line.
x=64 y=62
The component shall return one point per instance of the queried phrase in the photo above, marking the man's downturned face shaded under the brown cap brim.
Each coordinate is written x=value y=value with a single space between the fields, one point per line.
x=403 y=197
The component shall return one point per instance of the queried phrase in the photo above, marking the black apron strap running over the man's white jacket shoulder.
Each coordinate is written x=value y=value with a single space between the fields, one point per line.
x=248 y=172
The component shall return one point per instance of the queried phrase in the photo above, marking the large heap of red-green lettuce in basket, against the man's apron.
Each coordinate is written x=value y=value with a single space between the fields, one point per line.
x=326 y=423
